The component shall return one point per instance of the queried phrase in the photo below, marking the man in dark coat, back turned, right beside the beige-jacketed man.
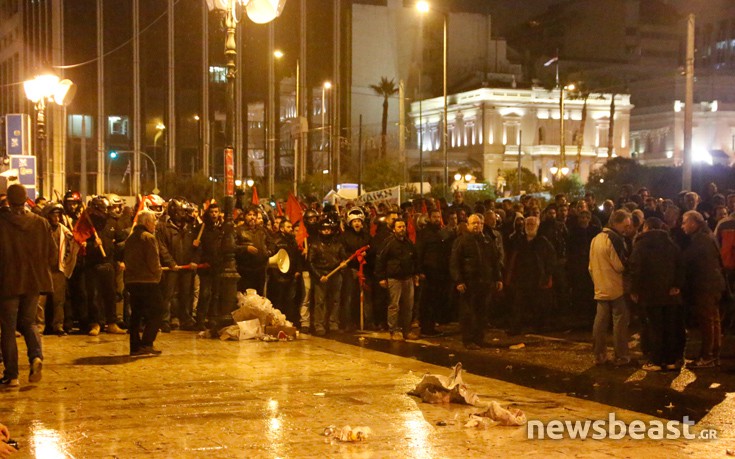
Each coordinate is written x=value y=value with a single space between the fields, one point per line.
x=656 y=275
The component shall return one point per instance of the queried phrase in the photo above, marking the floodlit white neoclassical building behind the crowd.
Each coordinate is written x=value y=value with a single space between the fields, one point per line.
x=488 y=127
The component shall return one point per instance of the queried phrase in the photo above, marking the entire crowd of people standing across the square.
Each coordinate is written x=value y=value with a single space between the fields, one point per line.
x=524 y=265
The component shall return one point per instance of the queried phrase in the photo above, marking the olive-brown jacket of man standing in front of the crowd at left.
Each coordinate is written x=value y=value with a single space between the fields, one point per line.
x=142 y=260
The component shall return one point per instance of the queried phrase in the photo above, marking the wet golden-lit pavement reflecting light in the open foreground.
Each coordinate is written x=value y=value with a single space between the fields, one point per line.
x=213 y=399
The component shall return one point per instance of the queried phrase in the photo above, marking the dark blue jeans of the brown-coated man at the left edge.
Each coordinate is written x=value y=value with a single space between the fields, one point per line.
x=20 y=312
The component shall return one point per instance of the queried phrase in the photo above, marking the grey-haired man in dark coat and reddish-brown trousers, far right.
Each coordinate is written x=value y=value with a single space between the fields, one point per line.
x=705 y=284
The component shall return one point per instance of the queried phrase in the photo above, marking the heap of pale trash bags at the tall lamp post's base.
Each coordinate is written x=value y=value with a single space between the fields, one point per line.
x=255 y=318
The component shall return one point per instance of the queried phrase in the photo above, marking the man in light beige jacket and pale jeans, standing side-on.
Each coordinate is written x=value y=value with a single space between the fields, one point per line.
x=607 y=263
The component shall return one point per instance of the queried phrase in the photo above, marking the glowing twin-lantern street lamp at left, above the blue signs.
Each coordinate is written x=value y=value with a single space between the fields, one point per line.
x=43 y=88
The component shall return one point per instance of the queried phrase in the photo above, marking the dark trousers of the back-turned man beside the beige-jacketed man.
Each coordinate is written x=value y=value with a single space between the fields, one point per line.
x=665 y=329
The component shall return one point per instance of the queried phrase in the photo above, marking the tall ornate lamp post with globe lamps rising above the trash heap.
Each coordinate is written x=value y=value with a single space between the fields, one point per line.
x=260 y=12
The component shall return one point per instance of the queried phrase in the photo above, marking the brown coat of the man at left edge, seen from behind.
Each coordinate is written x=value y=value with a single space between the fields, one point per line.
x=27 y=254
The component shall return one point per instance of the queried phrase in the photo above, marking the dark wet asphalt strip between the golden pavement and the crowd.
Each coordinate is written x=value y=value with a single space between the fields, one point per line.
x=562 y=362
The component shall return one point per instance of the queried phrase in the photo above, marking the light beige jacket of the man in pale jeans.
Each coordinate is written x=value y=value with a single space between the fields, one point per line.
x=606 y=266
